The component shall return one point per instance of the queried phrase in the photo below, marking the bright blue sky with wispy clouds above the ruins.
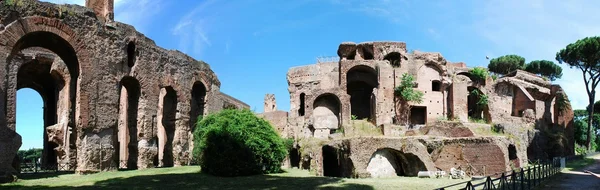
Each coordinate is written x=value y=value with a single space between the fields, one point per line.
x=251 y=44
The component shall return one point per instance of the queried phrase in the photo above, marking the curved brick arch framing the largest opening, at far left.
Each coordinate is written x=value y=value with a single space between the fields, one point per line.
x=58 y=37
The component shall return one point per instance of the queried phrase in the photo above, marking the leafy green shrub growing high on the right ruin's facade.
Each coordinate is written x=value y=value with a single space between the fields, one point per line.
x=406 y=94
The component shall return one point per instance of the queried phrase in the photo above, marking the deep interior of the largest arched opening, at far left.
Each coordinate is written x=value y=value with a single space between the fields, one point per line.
x=47 y=63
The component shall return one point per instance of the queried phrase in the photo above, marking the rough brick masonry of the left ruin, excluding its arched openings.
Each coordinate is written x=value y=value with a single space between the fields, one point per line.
x=98 y=56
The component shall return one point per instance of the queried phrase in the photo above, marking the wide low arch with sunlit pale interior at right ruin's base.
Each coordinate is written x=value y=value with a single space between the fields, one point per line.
x=387 y=162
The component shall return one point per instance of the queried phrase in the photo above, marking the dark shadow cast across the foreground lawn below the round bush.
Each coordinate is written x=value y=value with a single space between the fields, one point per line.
x=204 y=181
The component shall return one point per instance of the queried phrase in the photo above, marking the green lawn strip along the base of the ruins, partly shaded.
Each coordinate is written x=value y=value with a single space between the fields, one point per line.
x=188 y=177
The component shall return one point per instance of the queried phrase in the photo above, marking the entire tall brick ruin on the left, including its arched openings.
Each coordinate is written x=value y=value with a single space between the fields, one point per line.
x=113 y=99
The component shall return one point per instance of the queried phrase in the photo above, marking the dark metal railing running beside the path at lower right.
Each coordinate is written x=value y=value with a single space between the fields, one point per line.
x=524 y=178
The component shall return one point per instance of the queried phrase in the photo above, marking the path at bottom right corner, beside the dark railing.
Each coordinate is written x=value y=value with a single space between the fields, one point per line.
x=577 y=179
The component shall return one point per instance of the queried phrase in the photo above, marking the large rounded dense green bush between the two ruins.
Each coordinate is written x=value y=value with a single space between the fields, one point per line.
x=237 y=143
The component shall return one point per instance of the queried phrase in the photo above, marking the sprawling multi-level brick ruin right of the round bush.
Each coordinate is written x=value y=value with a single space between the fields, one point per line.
x=345 y=120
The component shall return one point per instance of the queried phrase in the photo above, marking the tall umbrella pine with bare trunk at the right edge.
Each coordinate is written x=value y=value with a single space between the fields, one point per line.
x=584 y=54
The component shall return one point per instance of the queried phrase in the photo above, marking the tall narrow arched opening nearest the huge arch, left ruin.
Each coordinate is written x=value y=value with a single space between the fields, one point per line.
x=130 y=92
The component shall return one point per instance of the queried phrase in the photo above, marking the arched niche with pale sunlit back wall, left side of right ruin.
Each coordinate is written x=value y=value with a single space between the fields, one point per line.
x=326 y=112
